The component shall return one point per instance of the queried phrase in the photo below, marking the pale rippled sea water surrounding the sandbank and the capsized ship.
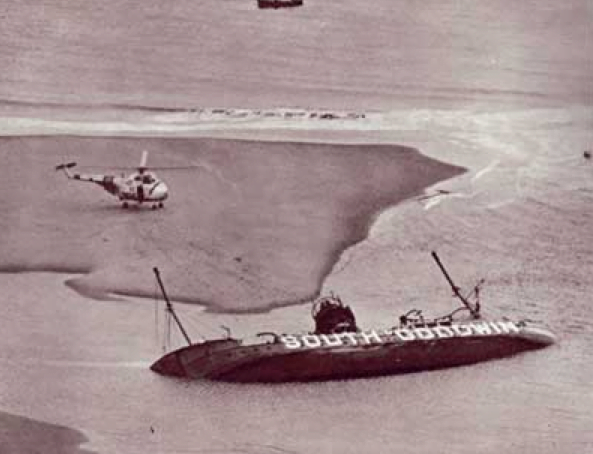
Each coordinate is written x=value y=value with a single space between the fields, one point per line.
x=502 y=88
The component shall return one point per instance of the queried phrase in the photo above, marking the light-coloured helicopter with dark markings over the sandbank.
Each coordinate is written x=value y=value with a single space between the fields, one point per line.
x=140 y=187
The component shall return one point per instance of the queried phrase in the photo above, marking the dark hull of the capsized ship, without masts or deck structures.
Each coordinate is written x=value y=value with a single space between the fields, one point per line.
x=360 y=355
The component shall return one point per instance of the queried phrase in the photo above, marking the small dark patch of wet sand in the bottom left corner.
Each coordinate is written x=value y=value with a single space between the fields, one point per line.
x=20 y=435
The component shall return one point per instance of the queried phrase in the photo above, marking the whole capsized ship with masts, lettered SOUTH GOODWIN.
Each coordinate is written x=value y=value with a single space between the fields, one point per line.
x=339 y=349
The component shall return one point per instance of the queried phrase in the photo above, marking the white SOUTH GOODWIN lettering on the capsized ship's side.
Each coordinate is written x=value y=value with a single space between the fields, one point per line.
x=421 y=333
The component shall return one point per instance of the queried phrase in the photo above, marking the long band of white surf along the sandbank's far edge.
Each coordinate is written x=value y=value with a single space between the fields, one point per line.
x=491 y=131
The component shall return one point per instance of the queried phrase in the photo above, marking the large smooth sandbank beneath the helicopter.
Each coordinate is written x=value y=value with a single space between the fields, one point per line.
x=251 y=226
